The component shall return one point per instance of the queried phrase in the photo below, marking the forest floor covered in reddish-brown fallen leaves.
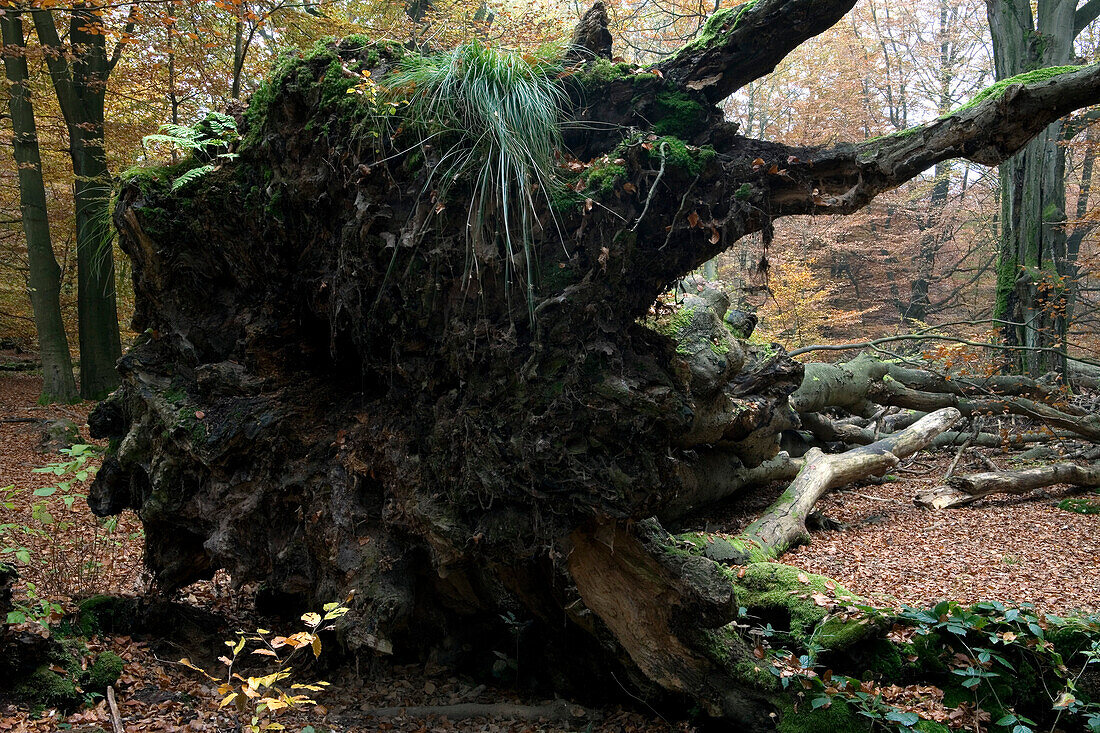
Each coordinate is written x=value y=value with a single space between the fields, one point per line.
x=1020 y=549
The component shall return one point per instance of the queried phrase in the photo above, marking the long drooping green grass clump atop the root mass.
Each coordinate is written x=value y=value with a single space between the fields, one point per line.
x=499 y=114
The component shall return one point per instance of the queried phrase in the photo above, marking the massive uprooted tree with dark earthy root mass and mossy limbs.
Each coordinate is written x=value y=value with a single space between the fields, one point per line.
x=384 y=351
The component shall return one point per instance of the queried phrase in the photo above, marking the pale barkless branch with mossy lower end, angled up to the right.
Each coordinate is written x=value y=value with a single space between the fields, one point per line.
x=784 y=526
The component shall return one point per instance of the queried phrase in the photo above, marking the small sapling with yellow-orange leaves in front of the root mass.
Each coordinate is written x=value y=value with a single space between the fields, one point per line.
x=259 y=699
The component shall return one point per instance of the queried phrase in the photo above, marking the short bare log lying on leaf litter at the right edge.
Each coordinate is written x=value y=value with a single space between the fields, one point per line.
x=963 y=490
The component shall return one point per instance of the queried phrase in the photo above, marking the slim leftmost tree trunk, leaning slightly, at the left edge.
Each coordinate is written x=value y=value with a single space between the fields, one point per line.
x=45 y=280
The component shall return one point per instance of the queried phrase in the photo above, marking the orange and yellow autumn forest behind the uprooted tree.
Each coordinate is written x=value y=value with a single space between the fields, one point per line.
x=925 y=256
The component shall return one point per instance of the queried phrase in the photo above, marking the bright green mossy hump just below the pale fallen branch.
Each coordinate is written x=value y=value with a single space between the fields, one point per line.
x=784 y=596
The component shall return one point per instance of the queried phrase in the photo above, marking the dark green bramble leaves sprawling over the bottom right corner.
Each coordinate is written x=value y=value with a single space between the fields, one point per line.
x=988 y=648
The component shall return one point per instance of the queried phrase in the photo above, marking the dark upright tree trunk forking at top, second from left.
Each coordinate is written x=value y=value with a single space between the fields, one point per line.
x=81 y=86
